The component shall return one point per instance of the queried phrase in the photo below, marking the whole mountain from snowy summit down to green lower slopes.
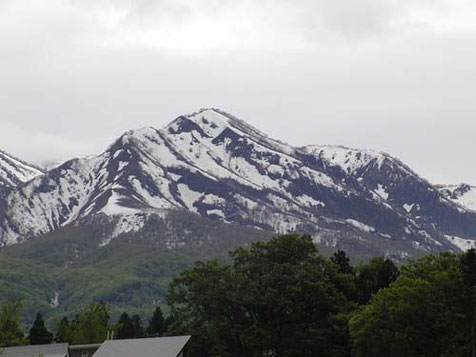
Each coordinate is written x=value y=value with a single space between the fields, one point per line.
x=115 y=227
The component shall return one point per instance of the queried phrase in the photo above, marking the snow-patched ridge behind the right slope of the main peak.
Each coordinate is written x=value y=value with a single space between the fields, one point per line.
x=396 y=184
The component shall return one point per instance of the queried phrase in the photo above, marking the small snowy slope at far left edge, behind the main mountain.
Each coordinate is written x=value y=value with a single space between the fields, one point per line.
x=14 y=171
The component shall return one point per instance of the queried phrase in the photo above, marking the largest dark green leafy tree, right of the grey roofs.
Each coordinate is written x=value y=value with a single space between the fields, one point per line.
x=276 y=298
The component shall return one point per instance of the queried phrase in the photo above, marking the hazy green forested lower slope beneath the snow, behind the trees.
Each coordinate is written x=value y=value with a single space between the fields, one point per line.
x=131 y=273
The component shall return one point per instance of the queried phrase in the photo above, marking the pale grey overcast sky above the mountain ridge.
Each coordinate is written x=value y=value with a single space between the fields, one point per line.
x=391 y=75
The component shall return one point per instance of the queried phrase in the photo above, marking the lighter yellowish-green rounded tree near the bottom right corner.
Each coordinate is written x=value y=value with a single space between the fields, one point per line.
x=421 y=314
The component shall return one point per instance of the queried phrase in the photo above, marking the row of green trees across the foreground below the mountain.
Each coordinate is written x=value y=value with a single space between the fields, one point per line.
x=283 y=298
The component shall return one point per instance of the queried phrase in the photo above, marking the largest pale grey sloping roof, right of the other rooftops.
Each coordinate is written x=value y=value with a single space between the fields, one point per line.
x=143 y=347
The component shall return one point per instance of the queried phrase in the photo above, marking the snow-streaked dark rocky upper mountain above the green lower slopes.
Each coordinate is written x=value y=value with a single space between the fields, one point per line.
x=216 y=166
